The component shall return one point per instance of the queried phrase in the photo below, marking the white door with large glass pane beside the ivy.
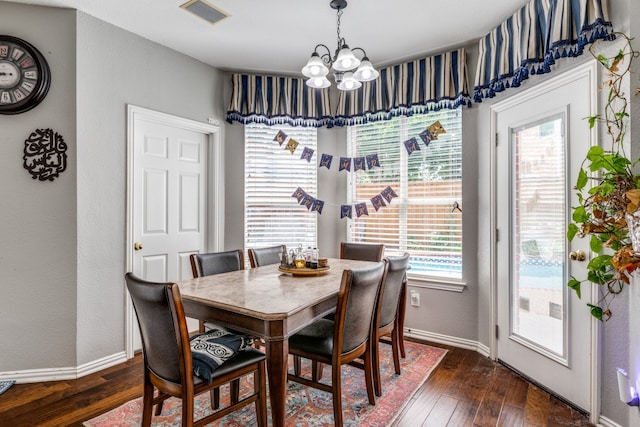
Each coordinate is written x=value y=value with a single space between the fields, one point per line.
x=543 y=330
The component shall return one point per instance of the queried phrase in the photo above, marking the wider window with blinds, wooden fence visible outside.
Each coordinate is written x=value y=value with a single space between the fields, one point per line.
x=423 y=220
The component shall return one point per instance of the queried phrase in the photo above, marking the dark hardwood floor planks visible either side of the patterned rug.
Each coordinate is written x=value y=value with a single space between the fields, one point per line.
x=466 y=389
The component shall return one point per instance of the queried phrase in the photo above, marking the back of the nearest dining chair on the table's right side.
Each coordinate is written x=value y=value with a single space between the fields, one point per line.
x=357 y=306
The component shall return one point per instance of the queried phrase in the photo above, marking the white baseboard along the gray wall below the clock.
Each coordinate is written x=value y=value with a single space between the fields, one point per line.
x=57 y=374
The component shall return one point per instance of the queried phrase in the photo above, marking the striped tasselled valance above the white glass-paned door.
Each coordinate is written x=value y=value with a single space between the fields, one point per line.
x=532 y=39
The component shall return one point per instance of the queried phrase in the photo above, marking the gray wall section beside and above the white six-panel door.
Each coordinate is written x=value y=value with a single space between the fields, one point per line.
x=116 y=68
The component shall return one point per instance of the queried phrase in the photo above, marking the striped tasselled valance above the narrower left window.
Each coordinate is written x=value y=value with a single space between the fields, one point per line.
x=278 y=100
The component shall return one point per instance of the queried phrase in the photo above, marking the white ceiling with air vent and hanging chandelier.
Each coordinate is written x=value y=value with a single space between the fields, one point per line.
x=278 y=36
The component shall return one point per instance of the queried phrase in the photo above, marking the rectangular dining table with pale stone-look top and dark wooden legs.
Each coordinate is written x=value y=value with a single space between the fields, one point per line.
x=268 y=303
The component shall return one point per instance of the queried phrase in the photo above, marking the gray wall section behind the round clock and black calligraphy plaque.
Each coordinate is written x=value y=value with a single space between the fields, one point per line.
x=38 y=227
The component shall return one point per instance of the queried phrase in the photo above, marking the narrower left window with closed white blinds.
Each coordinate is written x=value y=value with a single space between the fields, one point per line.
x=272 y=174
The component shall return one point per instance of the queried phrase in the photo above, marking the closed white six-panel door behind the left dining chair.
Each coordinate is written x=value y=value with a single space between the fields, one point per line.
x=169 y=204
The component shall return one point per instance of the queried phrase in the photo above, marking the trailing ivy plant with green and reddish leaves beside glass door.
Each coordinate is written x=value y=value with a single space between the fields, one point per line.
x=614 y=191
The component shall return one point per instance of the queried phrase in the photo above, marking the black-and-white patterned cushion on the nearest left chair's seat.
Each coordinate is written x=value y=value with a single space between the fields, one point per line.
x=211 y=349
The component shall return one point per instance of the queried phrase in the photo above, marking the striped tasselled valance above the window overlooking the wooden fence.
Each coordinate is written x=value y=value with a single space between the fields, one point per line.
x=414 y=87
